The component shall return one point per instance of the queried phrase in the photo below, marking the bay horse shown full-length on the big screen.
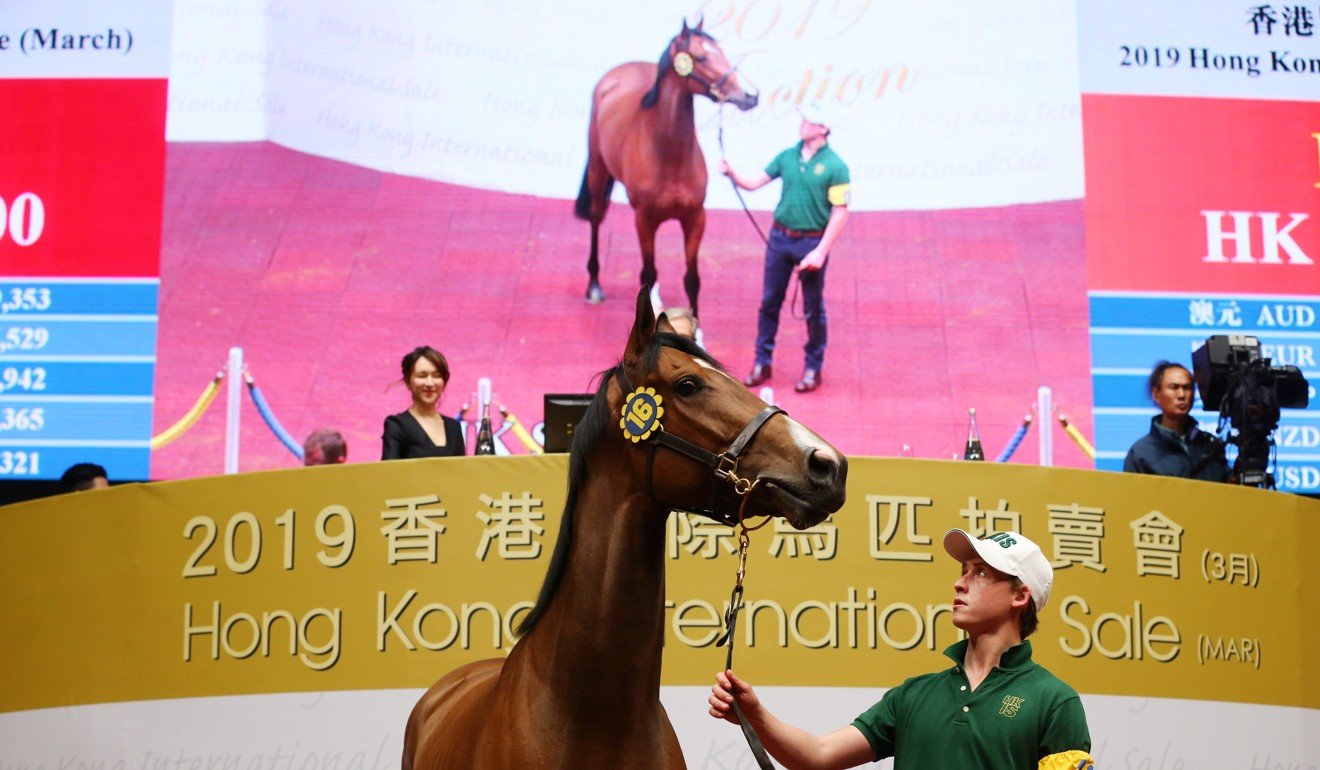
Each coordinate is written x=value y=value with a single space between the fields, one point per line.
x=643 y=134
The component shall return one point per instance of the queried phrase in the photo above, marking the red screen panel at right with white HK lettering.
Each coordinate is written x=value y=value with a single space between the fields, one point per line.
x=1203 y=195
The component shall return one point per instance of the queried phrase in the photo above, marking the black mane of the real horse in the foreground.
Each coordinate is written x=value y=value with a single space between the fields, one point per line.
x=588 y=434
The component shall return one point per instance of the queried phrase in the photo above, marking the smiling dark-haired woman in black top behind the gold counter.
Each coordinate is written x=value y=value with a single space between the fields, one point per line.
x=422 y=431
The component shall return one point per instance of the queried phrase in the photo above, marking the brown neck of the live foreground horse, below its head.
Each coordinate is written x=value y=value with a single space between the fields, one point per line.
x=607 y=625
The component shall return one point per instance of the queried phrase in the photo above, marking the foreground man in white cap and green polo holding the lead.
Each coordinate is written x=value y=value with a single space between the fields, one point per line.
x=995 y=710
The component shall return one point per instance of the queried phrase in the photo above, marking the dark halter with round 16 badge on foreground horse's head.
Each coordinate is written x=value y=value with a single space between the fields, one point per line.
x=643 y=402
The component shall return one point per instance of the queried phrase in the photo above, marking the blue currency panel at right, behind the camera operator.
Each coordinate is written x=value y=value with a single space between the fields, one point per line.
x=1132 y=331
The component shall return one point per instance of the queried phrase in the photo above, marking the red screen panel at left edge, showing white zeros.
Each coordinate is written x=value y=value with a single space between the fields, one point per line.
x=82 y=167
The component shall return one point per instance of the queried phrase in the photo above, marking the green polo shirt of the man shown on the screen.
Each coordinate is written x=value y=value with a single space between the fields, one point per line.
x=811 y=188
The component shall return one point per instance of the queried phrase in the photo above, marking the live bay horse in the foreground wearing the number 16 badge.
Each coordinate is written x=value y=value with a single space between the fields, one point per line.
x=581 y=687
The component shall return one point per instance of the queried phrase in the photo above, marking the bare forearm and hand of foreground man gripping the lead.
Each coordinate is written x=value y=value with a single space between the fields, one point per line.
x=795 y=748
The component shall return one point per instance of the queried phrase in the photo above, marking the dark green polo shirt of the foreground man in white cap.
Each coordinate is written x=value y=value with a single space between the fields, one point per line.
x=1021 y=718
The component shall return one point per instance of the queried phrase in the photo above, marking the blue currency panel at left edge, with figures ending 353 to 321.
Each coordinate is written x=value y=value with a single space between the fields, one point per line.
x=77 y=364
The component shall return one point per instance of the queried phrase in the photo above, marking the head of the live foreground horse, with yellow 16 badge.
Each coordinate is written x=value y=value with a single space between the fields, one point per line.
x=704 y=443
